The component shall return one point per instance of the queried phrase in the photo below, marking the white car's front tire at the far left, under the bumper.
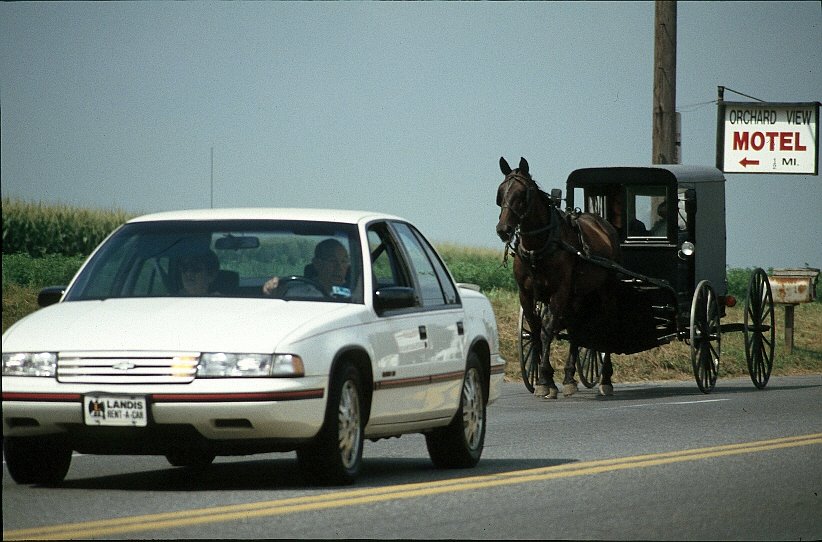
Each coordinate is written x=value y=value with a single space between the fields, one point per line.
x=37 y=460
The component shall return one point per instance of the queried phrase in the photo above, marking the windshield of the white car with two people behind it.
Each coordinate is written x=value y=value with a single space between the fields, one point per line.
x=300 y=260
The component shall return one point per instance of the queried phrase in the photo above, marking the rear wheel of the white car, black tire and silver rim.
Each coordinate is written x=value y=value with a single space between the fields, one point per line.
x=460 y=443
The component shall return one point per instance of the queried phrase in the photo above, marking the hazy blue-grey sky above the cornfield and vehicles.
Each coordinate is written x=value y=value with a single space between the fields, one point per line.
x=396 y=107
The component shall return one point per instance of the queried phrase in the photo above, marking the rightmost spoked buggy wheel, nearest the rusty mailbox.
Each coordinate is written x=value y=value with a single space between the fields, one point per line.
x=759 y=329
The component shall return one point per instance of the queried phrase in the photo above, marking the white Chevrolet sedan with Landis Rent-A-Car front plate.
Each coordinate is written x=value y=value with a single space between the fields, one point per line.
x=286 y=345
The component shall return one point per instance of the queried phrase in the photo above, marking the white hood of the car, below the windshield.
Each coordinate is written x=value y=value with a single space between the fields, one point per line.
x=176 y=324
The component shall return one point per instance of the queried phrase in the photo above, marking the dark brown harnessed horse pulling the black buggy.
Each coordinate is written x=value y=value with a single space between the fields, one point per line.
x=548 y=247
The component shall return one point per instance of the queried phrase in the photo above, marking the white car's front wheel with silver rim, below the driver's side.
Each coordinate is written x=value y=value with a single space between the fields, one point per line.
x=335 y=455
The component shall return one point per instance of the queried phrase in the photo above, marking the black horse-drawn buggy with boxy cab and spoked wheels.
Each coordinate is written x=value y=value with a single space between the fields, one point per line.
x=672 y=280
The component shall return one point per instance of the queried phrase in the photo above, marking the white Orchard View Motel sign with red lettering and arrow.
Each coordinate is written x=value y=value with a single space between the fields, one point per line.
x=761 y=137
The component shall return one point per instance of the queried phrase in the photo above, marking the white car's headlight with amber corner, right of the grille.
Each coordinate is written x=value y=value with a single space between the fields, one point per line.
x=223 y=364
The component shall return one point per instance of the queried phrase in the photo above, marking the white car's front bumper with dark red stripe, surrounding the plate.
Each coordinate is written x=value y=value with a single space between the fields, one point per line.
x=252 y=409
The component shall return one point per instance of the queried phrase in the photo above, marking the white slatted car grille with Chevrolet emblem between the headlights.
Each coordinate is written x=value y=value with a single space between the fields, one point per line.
x=127 y=367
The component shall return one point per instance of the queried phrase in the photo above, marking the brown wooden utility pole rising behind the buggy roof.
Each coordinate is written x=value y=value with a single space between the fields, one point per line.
x=664 y=128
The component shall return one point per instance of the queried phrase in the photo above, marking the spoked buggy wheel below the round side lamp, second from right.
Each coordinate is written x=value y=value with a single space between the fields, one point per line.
x=705 y=336
